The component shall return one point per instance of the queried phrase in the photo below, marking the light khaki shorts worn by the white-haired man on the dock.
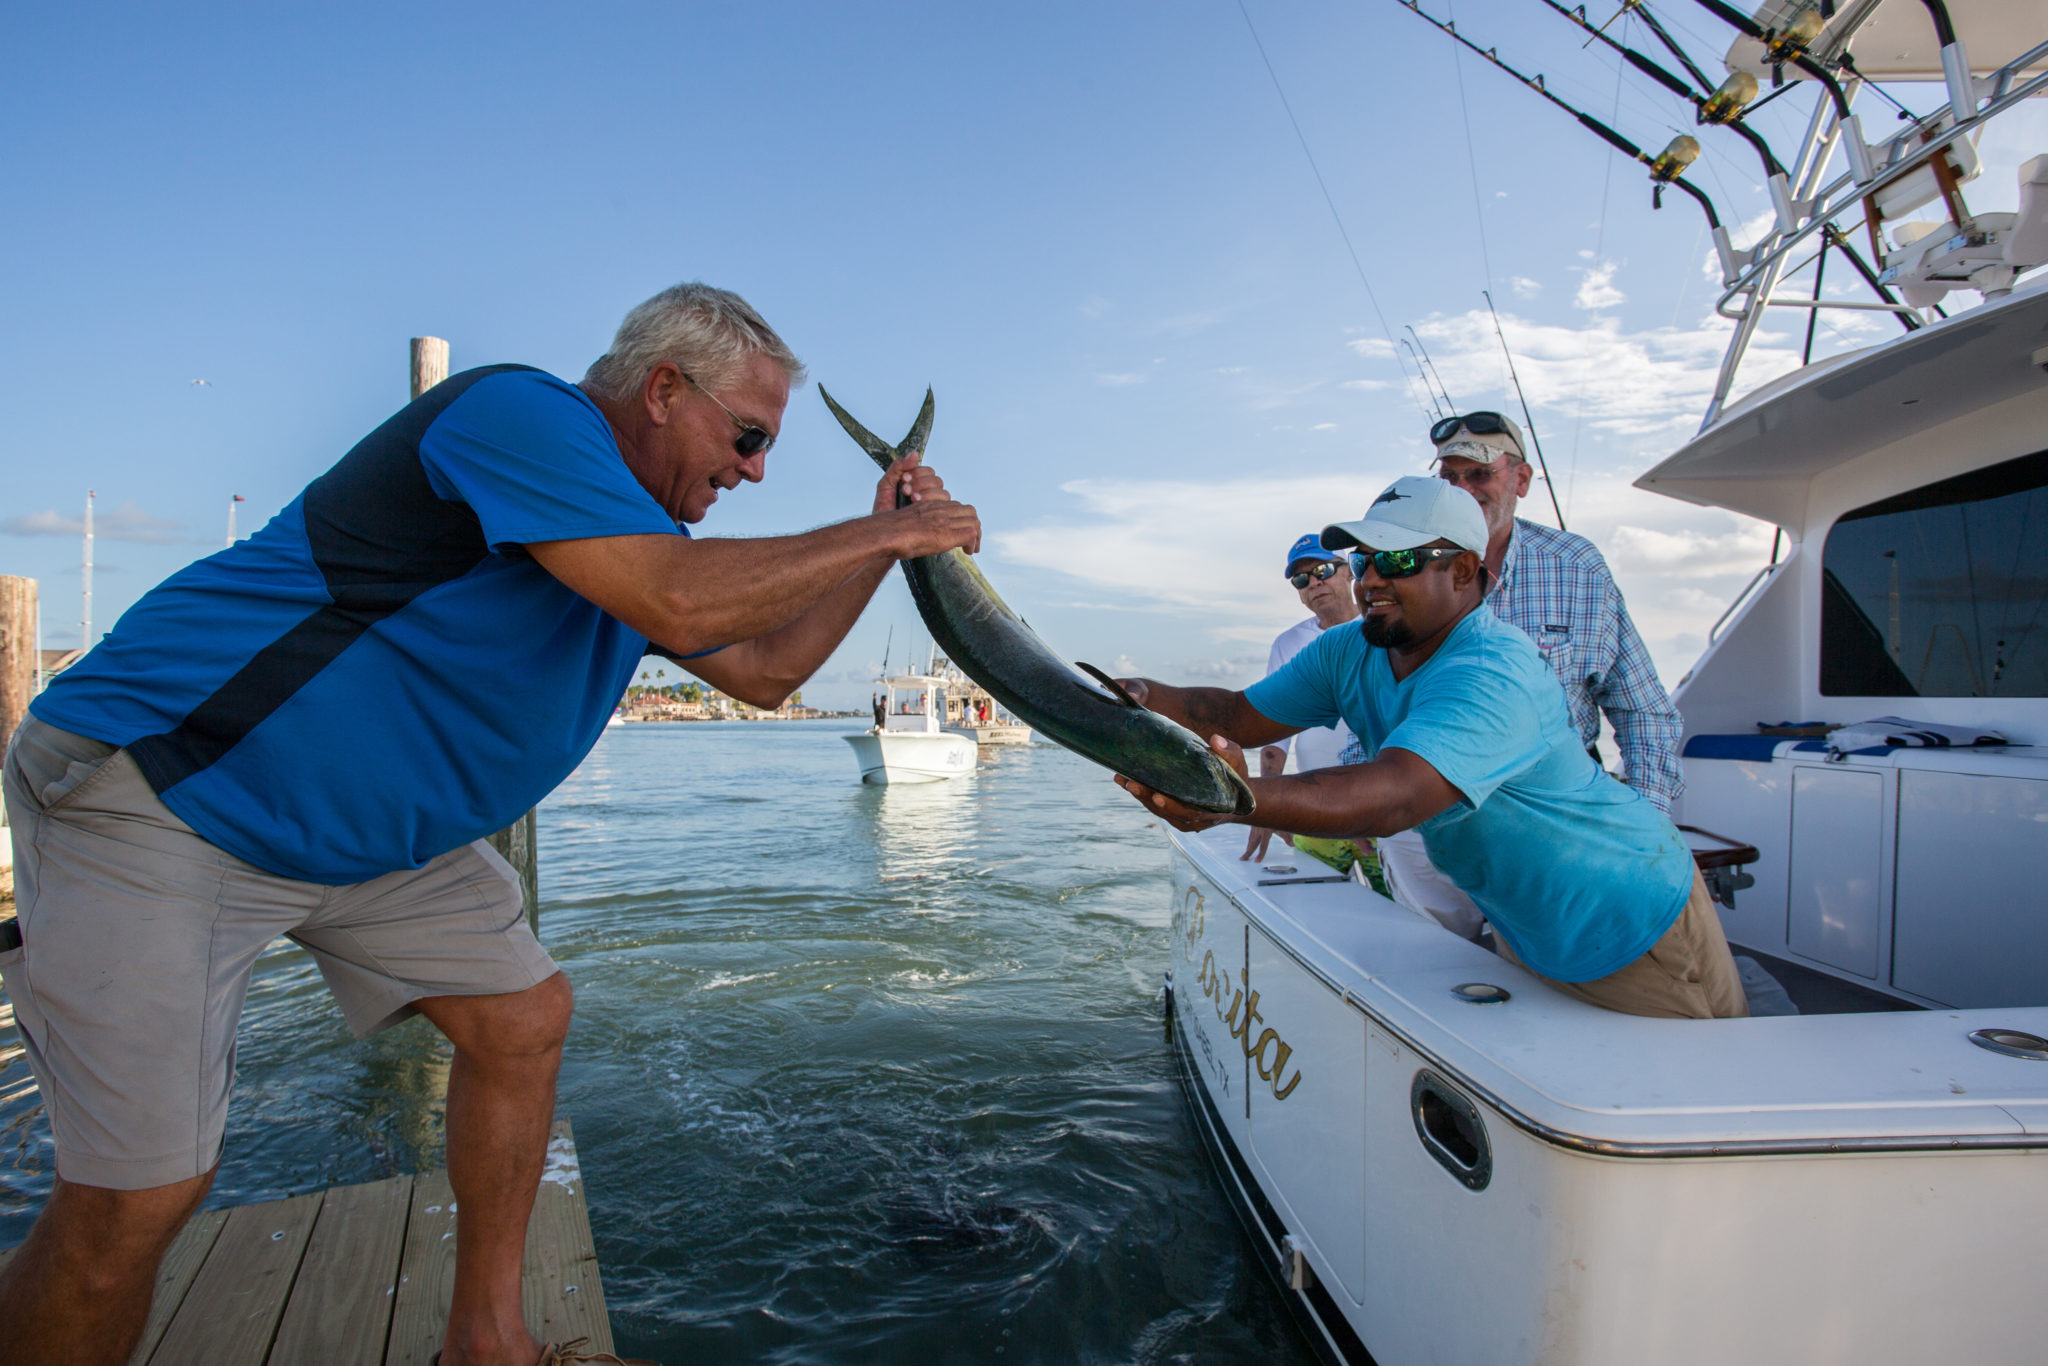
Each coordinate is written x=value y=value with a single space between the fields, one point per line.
x=138 y=943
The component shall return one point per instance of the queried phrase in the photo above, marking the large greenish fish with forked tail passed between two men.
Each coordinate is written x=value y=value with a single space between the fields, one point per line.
x=992 y=646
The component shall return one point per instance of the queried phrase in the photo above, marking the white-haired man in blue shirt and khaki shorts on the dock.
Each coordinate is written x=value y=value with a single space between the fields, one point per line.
x=290 y=738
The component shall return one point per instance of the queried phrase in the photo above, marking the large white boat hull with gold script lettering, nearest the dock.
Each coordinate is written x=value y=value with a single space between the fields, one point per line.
x=1541 y=1181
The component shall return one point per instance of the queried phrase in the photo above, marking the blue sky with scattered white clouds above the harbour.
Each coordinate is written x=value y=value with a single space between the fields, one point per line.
x=1089 y=228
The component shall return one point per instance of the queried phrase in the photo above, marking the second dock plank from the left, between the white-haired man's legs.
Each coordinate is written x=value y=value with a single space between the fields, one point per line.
x=232 y=1310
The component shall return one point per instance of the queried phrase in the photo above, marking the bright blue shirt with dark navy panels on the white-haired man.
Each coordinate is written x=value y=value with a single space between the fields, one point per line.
x=382 y=673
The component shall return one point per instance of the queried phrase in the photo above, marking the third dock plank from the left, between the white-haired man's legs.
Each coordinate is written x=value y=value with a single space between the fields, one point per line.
x=341 y=1304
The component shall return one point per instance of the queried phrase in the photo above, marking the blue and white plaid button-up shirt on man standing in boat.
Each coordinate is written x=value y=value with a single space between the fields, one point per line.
x=1558 y=591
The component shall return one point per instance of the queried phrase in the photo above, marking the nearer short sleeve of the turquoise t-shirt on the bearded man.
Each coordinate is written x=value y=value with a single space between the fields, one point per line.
x=1476 y=726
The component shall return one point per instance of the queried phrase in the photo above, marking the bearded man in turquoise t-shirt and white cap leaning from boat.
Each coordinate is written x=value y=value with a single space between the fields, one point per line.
x=1469 y=742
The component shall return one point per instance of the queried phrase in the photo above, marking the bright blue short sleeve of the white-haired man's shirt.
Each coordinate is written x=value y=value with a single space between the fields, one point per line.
x=536 y=462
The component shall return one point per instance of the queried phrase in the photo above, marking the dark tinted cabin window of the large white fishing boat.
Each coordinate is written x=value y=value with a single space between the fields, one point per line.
x=1940 y=591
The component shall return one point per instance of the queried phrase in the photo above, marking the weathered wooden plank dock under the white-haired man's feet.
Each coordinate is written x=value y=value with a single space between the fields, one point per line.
x=361 y=1275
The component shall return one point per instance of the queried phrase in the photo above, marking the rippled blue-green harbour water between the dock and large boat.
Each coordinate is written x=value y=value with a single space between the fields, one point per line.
x=857 y=1074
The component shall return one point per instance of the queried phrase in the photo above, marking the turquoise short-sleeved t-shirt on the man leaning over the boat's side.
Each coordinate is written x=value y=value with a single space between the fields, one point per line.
x=1578 y=871
